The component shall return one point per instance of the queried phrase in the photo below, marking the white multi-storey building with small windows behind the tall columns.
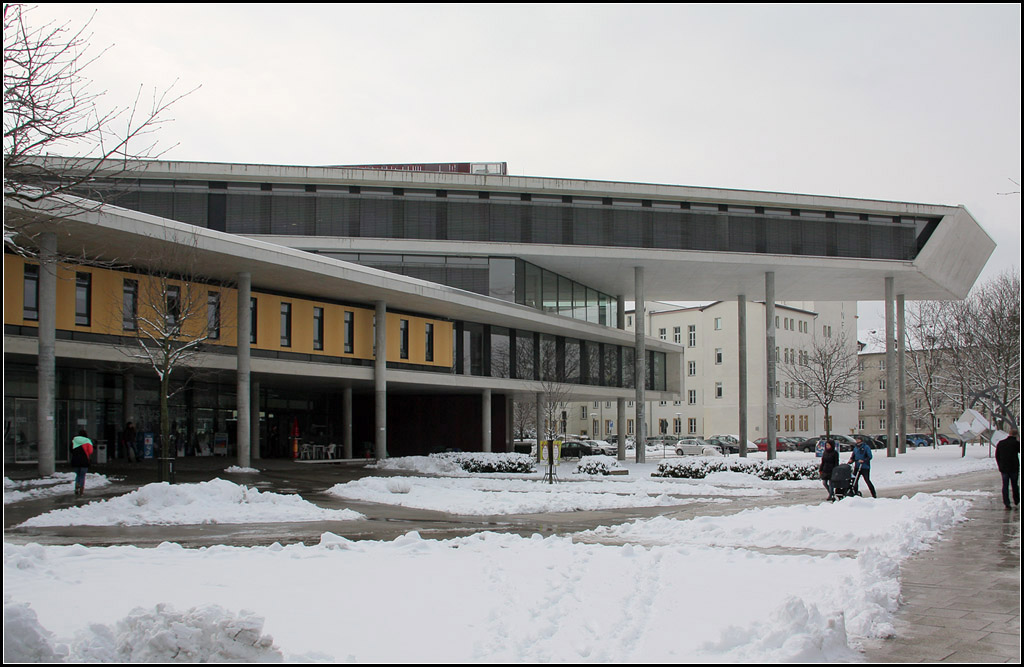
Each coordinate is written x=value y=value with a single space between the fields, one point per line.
x=709 y=403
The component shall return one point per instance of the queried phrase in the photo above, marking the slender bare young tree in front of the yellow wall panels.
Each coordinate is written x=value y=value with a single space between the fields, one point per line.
x=174 y=314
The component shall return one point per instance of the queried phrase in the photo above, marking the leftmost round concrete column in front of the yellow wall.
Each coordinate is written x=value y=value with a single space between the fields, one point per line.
x=48 y=369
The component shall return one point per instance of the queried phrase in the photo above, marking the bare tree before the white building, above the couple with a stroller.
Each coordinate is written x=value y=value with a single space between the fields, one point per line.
x=826 y=374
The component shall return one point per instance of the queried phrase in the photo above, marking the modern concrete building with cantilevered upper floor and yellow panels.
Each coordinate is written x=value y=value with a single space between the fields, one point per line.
x=400 y=310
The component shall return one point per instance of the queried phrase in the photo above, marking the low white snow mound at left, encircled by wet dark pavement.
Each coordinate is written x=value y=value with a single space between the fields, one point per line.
x=218 y=502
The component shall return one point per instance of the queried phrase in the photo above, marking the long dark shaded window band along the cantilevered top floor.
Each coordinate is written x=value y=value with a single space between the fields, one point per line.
x=439 y=215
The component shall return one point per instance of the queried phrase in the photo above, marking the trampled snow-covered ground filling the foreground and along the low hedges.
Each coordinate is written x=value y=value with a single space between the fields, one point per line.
x=787 y=583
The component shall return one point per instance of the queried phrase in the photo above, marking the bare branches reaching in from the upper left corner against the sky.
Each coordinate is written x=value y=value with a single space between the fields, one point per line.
x=50 y=110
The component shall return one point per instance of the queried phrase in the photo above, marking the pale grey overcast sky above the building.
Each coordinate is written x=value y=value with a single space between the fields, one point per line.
x=916 y=103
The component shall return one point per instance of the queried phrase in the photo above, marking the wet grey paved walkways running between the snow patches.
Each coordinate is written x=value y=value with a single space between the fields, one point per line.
x=961 y=600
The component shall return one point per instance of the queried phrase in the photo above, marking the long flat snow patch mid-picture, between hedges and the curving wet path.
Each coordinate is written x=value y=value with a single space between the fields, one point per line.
x=489 y=497
